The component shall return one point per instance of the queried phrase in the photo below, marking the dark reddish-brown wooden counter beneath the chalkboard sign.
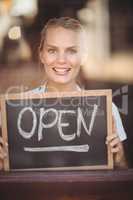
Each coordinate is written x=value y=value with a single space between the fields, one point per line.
x=76 y=185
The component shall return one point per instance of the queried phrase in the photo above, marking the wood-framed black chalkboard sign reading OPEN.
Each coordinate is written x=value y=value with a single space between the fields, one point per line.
x=55 y=132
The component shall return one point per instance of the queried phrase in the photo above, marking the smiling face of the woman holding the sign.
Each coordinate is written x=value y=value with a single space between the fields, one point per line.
x=61 y=55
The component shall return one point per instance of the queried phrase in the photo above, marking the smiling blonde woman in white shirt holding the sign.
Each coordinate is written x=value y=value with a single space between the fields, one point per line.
x=61 y=51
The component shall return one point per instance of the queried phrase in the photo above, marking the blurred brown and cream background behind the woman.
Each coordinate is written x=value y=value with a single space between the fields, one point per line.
x=109 y=26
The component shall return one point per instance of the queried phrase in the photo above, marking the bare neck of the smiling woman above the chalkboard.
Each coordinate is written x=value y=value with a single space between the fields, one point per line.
x=55 y=87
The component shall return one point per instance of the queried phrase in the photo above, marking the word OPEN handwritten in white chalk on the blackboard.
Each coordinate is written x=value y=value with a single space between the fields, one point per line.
x=58 y=120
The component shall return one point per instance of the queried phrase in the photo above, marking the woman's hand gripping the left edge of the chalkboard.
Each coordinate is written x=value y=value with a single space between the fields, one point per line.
x=3 y=152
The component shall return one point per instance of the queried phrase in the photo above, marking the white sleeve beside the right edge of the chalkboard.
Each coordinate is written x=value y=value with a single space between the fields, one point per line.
x=119 y=126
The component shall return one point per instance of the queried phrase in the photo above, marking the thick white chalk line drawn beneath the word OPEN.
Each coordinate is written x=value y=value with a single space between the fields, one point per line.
x=76 y=148
